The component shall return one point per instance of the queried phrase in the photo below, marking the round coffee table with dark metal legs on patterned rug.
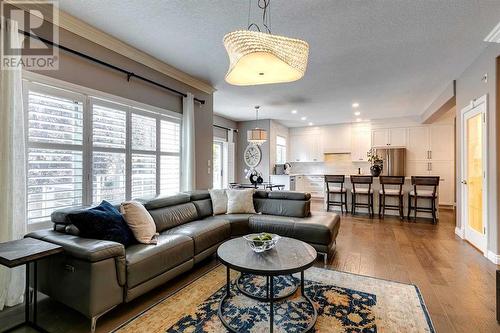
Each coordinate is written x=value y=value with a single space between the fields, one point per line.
x=289 y=256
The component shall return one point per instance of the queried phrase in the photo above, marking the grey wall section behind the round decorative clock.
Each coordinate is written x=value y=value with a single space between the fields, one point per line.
x=263 y=167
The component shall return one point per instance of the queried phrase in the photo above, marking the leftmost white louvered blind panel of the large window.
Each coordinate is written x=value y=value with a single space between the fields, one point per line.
x=54 y=153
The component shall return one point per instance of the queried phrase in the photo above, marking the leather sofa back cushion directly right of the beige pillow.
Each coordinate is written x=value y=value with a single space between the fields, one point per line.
x=172 y=216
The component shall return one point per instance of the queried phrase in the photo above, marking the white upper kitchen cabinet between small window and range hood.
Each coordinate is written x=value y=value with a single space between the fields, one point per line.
x=306 y=146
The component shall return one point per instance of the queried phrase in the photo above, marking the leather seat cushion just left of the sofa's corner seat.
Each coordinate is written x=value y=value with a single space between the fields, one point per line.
x=205 y=233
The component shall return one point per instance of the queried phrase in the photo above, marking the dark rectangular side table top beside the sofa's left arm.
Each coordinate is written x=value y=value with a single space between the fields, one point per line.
x=21 y=251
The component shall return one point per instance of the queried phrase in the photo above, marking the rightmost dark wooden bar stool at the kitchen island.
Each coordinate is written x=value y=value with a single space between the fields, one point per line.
x=425 y=194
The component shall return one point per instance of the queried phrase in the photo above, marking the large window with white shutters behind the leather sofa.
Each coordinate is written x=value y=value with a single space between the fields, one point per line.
x=82 y=149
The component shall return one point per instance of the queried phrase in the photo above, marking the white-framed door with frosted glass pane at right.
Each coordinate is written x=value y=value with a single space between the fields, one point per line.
x=474 y=173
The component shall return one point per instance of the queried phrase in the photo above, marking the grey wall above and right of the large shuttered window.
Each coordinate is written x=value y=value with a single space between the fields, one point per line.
x=79 y=71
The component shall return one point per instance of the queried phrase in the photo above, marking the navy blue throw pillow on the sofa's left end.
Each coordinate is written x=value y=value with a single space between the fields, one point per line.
x=103 y=222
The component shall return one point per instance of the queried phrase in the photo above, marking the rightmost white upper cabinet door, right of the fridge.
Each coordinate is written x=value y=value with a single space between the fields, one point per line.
x=442 y=142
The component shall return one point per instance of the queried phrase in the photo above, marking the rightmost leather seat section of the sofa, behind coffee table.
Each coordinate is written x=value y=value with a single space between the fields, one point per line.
x=321 y=228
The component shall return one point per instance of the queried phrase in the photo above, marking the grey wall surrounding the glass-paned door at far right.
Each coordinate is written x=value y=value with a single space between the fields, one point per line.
x=470 y=86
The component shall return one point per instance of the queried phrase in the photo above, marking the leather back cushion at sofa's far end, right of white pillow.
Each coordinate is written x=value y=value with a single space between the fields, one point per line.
x=283 y=207
